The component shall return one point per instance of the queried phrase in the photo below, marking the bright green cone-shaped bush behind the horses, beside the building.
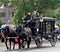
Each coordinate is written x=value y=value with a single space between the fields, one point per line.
x=17 y=19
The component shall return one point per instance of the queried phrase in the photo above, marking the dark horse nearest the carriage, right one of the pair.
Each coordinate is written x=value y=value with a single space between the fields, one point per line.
x=24 y=33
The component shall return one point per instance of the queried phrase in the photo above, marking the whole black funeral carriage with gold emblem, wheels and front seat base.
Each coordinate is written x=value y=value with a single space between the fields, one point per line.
x=45 y=30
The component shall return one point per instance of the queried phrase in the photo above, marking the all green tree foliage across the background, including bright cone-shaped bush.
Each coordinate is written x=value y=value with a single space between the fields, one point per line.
x=45 y=7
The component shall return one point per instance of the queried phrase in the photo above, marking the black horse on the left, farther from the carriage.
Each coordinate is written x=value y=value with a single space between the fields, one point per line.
x=10 y=35
